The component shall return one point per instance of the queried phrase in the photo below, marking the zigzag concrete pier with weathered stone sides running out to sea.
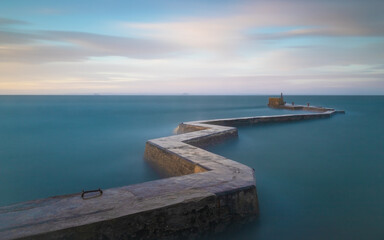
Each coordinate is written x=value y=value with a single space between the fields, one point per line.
x=206 y=192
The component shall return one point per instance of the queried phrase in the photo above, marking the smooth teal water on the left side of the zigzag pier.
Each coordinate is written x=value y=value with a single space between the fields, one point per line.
x=53 y=145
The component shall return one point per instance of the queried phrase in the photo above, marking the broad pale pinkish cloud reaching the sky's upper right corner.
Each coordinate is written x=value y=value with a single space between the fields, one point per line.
x=307 y=18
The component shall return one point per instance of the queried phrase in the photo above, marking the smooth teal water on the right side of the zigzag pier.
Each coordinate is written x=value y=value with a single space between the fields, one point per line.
x=318 y=179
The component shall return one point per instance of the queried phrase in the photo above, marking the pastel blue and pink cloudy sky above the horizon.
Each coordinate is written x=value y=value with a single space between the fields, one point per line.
x=215 y=47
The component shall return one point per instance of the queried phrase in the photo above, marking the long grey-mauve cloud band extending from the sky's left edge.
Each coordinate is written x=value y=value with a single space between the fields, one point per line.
x=64 y=46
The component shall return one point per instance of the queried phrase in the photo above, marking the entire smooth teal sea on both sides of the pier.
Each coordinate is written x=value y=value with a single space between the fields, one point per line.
x=316 y=179
